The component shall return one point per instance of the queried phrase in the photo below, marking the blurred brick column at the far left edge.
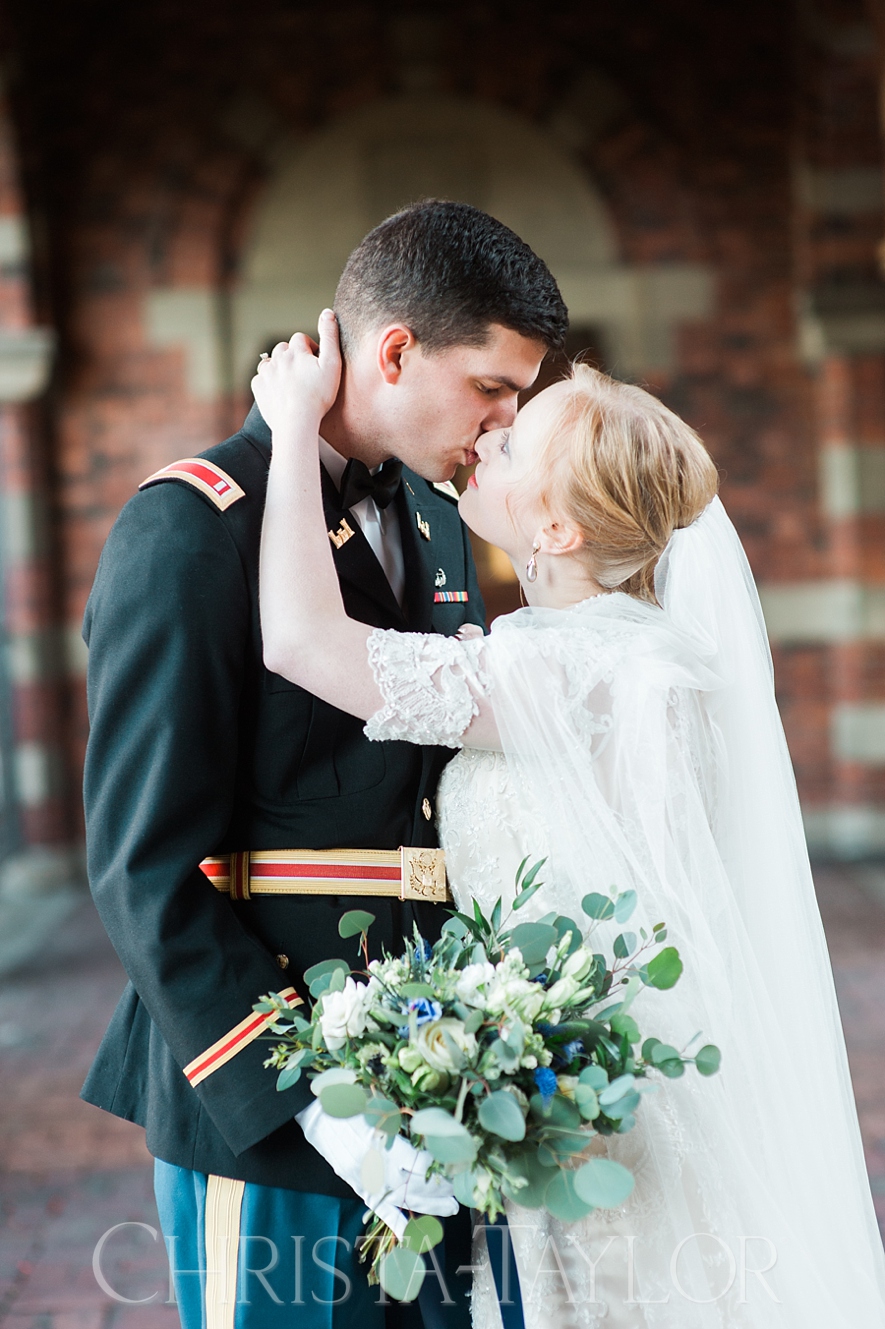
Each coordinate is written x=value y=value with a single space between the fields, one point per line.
x=35 y=841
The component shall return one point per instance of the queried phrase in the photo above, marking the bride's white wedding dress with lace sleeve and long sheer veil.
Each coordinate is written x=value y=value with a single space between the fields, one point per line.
x=642 y=749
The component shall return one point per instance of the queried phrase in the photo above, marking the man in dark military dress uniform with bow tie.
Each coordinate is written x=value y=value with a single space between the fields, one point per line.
x=212 y=783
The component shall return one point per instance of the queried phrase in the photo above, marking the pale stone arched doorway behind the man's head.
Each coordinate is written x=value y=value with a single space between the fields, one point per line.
x=329 y=191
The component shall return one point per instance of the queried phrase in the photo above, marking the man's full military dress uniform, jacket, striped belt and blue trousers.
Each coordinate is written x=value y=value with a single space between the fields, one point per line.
x=211 y=785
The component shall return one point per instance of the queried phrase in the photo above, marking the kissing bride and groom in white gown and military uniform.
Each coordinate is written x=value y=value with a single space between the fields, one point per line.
x=286 y=645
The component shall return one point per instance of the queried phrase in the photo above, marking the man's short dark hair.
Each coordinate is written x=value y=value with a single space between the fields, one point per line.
x=448 y=272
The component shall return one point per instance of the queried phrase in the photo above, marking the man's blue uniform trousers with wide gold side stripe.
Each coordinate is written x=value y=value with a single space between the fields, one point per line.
x=246 y=1257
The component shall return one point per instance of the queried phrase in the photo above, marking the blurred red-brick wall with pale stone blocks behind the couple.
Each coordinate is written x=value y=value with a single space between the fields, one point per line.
x=734 y=143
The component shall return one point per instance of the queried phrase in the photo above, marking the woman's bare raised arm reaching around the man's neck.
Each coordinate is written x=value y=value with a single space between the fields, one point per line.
x=306 y=632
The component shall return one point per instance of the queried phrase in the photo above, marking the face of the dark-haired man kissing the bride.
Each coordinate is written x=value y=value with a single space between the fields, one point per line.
x=444 y=401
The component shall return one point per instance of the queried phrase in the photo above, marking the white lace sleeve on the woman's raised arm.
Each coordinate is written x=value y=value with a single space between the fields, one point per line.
x=431 y=686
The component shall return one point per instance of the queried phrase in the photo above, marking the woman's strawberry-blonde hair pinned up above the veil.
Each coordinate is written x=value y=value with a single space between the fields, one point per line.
x=628 y=471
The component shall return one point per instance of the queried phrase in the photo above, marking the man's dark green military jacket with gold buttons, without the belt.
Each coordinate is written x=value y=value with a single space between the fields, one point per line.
x=197 y=750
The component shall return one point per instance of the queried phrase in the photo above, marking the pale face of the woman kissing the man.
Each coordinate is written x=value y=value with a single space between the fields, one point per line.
x=500 y=503
